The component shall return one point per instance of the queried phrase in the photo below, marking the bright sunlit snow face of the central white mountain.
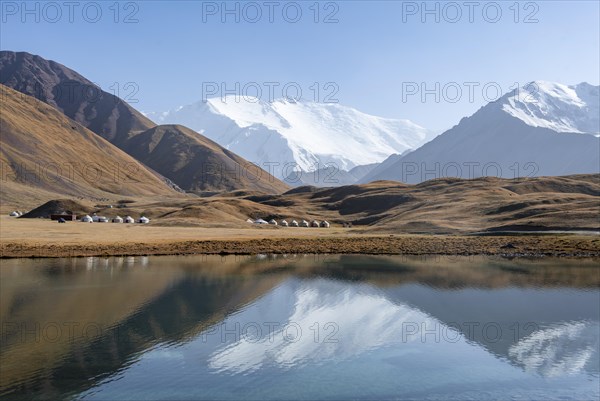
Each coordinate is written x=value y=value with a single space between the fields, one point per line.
x=327 y=129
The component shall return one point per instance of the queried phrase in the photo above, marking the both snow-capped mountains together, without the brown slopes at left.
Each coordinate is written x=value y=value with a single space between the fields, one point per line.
x=543 y=128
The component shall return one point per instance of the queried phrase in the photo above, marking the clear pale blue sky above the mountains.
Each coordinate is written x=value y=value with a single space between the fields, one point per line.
x=377 y=56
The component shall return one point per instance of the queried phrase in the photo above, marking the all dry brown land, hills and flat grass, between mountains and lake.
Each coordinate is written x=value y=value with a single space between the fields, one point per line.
x=554 y=216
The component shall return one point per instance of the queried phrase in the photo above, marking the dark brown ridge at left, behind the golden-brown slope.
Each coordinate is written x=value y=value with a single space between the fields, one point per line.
x=187 y=158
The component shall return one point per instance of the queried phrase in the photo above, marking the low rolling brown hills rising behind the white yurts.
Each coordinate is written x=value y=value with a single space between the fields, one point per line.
x=568 y=203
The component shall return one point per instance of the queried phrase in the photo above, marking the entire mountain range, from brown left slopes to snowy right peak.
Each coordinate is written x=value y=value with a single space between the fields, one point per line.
x=545 y=128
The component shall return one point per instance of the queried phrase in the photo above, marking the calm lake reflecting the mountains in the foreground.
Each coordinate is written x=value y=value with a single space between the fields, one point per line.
x=299 y=328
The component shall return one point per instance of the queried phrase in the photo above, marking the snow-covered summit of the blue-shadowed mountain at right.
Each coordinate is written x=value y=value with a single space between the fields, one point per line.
x=558 y=107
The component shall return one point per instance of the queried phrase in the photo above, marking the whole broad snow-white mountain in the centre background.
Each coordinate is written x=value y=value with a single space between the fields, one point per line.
x=285 y=136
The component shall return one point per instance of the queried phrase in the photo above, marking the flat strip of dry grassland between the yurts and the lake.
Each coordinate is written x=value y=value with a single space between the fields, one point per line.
x=44 y=238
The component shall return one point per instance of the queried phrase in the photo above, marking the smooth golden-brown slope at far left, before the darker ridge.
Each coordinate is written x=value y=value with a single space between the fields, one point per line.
x=43 y=153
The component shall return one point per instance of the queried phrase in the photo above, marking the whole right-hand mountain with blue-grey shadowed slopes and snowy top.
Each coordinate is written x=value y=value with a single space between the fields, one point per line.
x=541 y=129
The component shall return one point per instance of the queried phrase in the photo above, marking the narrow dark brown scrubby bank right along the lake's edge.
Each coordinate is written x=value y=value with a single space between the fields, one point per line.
x=573 y=246
